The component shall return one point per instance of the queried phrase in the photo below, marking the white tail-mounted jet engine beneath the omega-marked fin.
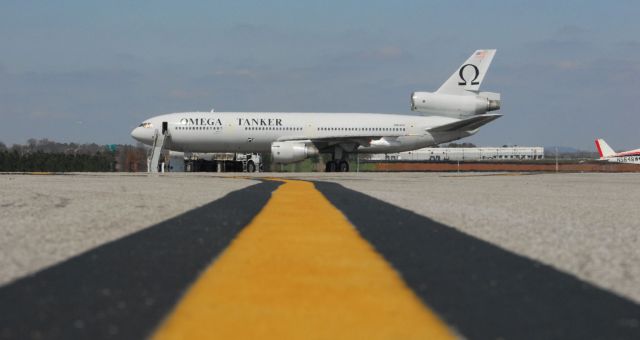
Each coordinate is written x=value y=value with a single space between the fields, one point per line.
x=458 y=106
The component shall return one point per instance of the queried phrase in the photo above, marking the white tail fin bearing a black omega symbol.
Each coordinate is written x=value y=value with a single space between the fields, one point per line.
x=468 y=77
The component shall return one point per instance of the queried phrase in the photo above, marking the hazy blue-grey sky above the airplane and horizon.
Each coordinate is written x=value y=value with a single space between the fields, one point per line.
x=88 y=71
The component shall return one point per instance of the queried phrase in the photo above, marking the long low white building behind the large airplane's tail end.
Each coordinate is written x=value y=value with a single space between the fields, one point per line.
x=517 y=153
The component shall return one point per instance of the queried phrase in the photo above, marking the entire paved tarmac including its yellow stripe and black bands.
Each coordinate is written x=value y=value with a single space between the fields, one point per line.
x=320 y=256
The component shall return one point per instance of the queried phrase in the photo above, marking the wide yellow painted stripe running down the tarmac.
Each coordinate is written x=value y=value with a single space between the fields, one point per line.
x=300 y=270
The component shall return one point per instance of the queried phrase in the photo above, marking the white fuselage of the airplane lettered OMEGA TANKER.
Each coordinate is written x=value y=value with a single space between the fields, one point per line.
x=256 y=131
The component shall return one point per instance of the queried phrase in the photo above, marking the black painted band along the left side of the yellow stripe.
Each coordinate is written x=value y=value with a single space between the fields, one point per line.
x=123 y=289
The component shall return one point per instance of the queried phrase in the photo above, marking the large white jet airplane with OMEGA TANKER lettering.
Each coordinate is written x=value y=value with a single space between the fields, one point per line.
x=456 y=110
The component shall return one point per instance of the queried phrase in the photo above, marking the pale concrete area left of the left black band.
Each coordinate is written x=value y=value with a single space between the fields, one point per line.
x=46 y=219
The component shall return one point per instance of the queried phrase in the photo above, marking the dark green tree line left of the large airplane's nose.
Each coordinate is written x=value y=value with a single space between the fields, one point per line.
x=50 y=156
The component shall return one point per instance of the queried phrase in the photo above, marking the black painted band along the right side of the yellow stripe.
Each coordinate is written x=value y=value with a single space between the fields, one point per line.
x=484 y=291
